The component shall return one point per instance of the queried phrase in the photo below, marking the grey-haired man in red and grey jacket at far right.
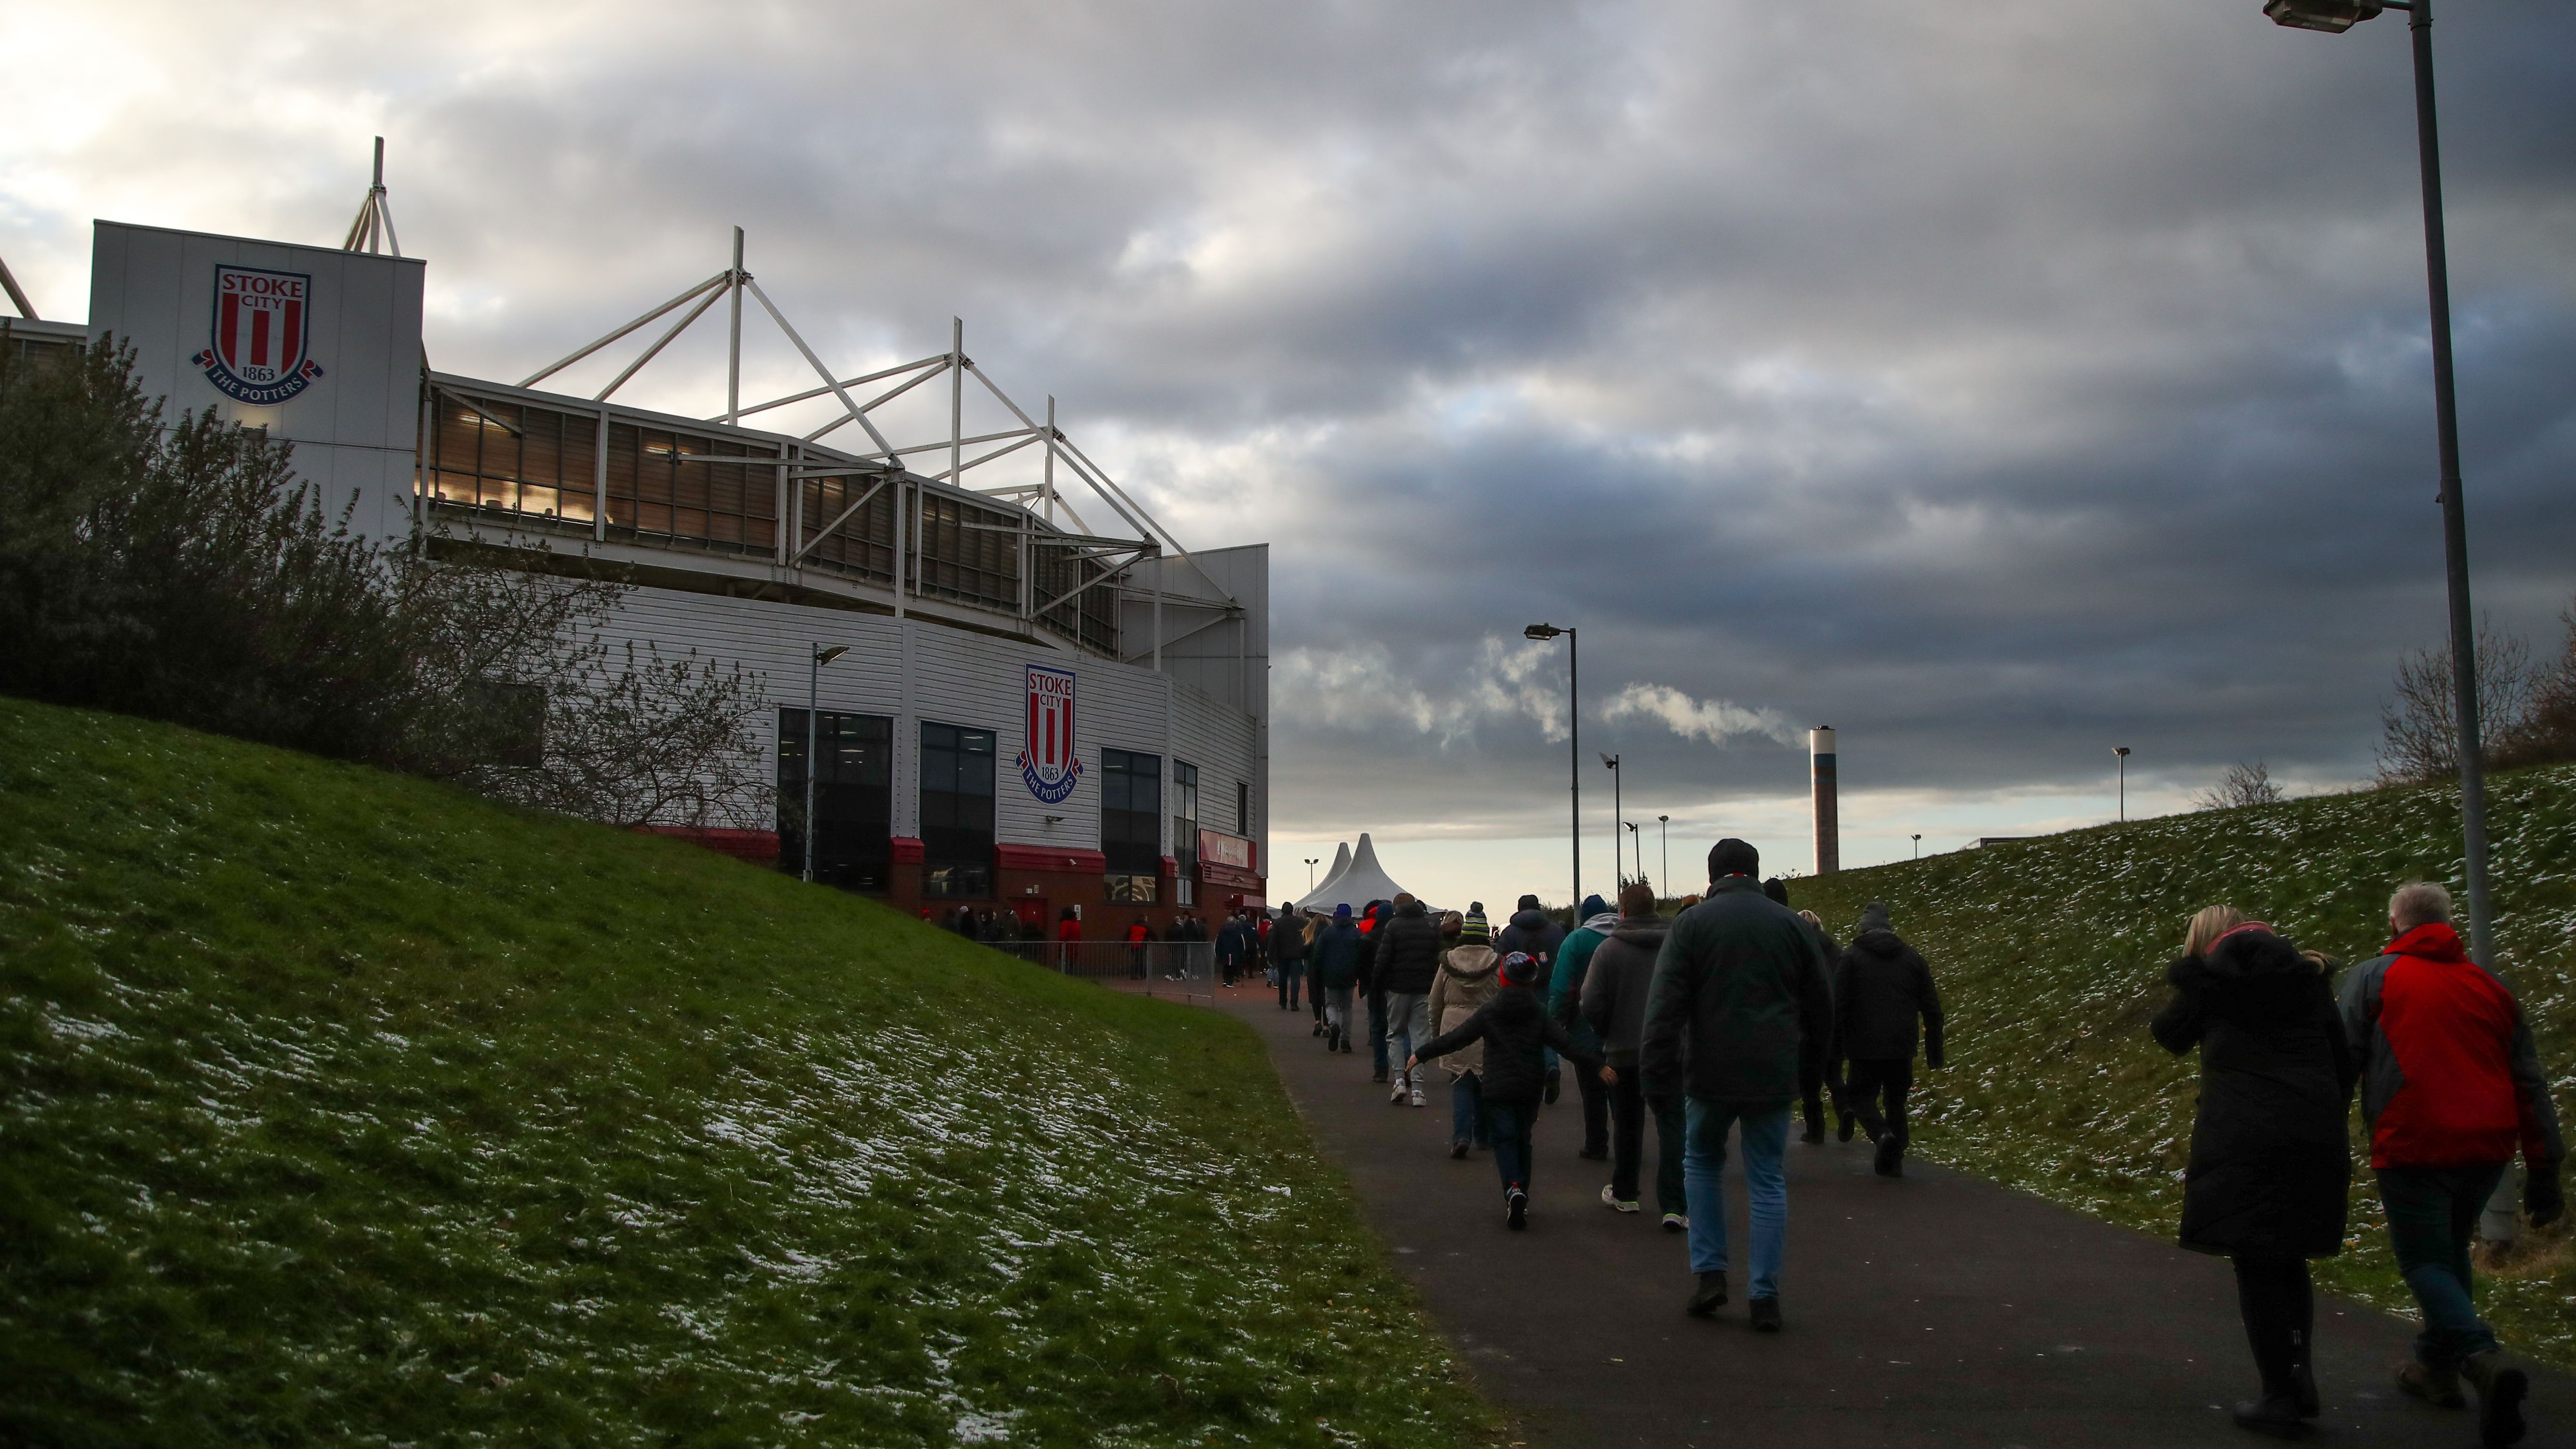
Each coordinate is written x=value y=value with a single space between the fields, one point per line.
x=2451 y=1087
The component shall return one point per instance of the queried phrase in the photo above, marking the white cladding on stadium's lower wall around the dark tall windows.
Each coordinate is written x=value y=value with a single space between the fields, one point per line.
x=954 y=679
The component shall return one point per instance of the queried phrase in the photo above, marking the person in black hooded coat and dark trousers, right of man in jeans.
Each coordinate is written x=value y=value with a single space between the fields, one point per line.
x=1882 y=991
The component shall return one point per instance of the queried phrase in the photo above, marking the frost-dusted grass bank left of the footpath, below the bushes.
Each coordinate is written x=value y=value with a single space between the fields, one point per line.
x=344 y=1107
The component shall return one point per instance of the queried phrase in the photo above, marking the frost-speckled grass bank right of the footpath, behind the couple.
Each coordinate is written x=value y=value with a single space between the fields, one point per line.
x=2052 y=963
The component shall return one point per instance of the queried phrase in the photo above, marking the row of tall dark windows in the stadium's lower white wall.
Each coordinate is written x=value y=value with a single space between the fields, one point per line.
x=854 y=808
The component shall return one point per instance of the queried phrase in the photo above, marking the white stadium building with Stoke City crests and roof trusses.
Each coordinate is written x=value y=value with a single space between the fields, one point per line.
x=1027 y=710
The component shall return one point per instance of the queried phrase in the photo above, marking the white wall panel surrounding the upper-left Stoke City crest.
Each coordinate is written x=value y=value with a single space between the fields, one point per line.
x=357 y=427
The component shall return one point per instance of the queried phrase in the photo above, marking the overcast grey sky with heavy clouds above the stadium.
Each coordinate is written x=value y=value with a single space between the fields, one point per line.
x=1995 y=383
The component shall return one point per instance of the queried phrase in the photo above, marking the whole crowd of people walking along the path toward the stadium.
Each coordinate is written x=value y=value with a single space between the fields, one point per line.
x=1727 y=1022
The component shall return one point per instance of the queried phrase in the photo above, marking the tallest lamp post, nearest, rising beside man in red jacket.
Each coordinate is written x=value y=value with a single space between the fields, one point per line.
x=2340 y=17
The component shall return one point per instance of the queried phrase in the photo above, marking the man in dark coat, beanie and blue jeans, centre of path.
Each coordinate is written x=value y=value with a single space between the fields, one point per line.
x=1738 y=997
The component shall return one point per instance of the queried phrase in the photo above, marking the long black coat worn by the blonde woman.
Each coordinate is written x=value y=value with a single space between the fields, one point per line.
x=2271 y=1162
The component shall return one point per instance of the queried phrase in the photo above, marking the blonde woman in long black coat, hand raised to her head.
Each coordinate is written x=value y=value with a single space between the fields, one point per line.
x=2271 y=1159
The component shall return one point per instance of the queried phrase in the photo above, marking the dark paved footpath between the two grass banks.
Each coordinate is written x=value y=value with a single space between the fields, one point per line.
x=1920 y=1311
